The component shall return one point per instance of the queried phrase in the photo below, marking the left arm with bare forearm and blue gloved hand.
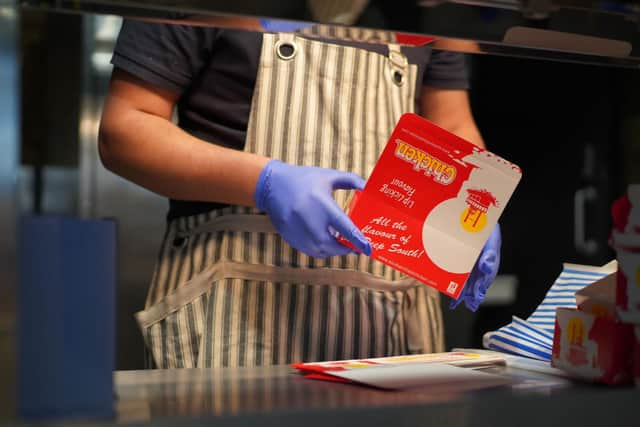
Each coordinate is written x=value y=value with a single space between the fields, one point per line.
x=138 y=141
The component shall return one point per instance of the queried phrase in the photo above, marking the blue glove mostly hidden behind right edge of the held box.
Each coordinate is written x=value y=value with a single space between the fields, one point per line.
x=483 y=274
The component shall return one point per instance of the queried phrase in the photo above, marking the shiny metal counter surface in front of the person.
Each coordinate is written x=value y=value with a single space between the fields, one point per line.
x=279 y=396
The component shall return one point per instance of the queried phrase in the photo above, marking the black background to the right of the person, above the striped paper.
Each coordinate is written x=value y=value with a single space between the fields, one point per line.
x=569 y=127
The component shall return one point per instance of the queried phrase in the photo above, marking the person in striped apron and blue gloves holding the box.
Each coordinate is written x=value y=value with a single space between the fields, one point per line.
x=270 y=128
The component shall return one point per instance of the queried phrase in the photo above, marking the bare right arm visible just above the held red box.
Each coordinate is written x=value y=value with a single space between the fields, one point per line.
x=450 y=109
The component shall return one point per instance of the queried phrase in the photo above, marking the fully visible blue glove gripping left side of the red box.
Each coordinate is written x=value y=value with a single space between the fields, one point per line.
x=299 y=200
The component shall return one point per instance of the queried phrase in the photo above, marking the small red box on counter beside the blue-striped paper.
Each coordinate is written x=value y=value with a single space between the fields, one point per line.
x=592 y=347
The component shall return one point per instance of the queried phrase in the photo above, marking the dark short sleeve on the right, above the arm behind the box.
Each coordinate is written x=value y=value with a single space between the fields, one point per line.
x=446 y=70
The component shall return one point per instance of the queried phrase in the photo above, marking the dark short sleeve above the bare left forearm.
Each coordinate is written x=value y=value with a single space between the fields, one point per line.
x=165 y=55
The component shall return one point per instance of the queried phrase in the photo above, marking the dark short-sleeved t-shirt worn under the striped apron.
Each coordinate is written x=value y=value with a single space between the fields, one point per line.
x=214 y=72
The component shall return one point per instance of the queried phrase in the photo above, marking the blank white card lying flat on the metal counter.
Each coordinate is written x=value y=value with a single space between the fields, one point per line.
x=398 y=377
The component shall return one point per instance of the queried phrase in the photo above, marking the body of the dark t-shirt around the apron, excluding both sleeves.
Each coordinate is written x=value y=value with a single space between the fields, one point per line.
x=217 y=106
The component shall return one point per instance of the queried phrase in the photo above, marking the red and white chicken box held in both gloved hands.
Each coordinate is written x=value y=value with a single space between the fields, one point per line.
x=431 y=203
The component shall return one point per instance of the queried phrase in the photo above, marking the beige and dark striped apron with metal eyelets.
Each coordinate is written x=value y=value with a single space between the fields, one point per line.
x=229 y=291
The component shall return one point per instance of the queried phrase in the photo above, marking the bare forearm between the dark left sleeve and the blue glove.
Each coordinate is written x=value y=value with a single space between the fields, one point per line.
x=138 y=141
